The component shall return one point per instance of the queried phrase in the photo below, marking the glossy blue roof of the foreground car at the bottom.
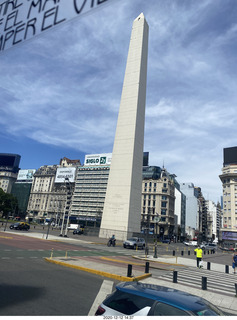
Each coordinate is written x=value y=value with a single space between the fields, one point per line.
x=171 y=296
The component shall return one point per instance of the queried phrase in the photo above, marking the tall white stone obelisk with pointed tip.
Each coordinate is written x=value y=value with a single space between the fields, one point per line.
x=122 y=207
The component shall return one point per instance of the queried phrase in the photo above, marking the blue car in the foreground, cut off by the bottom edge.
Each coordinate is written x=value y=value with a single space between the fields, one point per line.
x=142 y=299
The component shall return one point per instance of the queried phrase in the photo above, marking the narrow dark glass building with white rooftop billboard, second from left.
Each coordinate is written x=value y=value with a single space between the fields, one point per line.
x=21 y=190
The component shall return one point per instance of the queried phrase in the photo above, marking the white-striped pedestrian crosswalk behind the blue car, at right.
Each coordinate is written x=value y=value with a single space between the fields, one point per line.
x=218 y=282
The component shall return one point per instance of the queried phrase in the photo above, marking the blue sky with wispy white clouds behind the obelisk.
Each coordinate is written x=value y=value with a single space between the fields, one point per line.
x=60 y=91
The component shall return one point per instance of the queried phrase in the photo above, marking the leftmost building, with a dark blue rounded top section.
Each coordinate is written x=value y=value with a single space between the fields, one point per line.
x=9 y=167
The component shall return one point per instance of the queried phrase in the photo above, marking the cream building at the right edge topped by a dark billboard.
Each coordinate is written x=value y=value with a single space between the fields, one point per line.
x=229 y=184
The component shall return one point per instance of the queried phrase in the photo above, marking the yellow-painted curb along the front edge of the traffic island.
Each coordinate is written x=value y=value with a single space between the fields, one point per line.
x=101 y=273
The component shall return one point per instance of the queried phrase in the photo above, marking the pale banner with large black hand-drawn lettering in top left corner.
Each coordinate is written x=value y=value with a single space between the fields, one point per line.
x=21 y=20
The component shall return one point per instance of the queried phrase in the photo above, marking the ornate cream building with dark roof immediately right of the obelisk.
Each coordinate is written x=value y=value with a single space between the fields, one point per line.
x=158 y=198
